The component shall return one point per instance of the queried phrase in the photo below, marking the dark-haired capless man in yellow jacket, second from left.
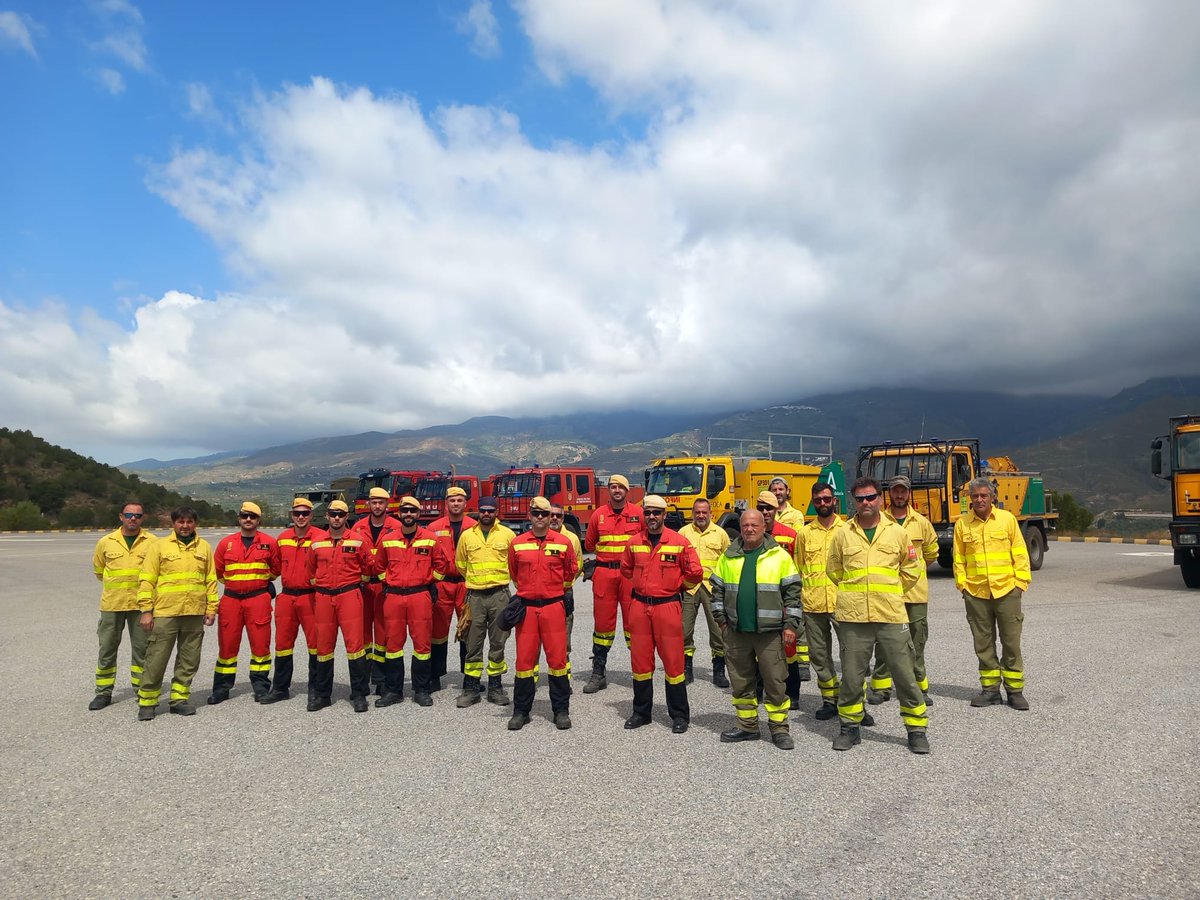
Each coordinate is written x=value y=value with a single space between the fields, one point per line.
x=178 y=598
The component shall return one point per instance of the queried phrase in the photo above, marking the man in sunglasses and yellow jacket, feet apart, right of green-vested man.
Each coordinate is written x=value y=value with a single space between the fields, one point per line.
x=874 y=565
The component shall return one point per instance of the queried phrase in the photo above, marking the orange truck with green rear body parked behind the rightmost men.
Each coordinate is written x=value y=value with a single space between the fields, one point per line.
x=940 y=472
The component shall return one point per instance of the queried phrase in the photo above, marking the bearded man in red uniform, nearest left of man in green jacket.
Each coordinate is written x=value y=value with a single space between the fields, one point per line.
x=661 y=565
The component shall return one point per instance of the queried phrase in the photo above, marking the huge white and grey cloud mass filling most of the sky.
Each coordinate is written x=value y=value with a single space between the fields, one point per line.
x=829 y=196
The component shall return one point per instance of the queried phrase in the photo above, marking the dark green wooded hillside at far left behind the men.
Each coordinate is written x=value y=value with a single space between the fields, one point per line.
x=44 y=487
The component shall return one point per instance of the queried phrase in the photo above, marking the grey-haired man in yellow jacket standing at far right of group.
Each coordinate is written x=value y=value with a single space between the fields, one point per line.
x=992 y=568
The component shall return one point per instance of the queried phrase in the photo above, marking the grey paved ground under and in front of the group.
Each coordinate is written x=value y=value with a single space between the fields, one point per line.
x=1090 y=794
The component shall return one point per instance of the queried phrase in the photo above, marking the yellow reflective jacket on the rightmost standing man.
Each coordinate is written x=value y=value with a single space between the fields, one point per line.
x=991 y=557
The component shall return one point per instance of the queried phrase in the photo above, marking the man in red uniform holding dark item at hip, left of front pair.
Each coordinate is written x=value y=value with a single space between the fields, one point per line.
x=543 y=566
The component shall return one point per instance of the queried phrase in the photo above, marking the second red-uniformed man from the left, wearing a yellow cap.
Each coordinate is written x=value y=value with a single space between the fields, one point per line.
x=295 y=605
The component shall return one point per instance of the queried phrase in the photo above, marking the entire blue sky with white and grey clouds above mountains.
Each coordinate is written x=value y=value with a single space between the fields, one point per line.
x=229 y=226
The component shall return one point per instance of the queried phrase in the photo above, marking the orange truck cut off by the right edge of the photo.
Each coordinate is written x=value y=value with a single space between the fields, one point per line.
x=1183 y=447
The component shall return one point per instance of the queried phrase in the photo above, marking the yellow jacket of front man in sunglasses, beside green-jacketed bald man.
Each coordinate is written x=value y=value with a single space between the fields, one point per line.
x=872 y=577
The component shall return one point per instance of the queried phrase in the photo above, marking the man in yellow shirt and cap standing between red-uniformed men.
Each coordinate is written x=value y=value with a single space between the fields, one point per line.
x=483 y=559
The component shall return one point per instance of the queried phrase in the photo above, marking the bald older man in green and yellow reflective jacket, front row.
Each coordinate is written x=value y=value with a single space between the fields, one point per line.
x=757 y=598
